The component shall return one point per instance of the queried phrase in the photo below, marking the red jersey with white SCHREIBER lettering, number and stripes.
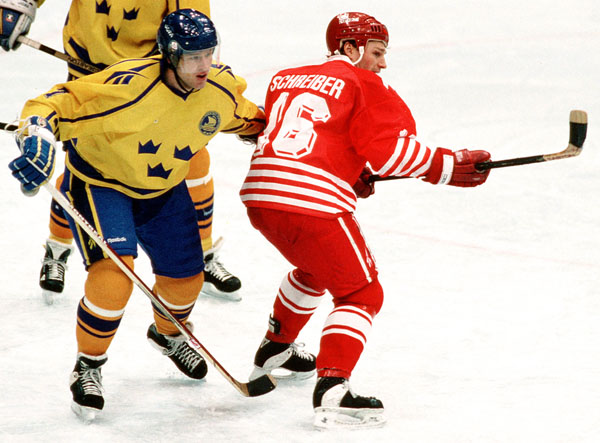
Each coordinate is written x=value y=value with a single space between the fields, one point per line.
x=324 y=123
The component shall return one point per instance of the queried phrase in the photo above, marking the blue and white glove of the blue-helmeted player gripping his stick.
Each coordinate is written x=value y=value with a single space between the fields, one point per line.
x=36 y=164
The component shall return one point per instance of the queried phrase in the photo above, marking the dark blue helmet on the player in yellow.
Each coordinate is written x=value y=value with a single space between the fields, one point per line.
x=185 y=31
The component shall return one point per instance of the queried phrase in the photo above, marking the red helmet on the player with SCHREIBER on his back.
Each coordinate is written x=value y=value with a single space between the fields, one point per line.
x=354 y=26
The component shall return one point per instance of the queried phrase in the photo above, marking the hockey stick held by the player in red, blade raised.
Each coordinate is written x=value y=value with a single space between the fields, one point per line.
x=577 y=134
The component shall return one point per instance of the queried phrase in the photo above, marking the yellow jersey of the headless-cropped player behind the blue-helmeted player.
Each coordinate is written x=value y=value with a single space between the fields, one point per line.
x=102 y=32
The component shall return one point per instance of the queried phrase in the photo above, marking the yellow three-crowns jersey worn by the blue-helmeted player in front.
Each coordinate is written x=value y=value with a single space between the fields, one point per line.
x=126 y=129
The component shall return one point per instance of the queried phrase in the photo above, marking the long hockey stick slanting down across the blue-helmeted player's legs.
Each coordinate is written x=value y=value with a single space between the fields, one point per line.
x=253 y=388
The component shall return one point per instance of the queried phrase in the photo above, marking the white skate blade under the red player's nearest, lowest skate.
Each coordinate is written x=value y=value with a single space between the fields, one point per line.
x=336 y=418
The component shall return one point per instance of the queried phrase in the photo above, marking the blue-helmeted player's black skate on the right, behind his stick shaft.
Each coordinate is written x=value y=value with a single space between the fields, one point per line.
x=176 y=348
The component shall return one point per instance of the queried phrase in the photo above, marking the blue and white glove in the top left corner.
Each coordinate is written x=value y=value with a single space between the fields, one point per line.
x=16 y=16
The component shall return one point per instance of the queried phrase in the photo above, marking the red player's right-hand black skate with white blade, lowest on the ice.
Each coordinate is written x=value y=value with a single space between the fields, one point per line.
x=337 y=406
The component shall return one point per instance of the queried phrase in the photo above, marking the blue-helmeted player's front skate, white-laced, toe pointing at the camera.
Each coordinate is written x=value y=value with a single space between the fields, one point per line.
x=86 y=386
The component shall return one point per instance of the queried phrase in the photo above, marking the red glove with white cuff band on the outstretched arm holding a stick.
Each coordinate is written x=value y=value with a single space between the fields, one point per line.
x=457 y=168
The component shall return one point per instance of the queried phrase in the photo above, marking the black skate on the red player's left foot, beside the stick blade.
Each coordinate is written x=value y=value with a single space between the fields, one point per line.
x=283 y=361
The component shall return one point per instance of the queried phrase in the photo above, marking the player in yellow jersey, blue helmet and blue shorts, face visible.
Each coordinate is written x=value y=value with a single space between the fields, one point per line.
x=130 y=132
